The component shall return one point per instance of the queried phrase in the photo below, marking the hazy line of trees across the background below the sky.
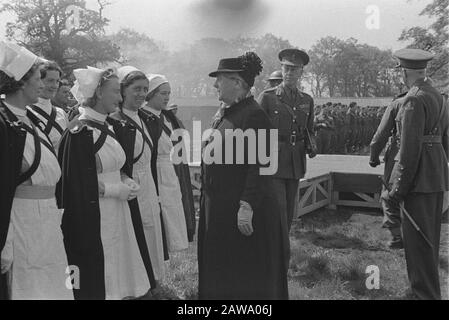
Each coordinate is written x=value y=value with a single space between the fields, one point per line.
x=72 y=35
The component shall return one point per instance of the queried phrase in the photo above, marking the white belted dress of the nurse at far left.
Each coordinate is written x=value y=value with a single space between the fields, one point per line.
x=34 y=251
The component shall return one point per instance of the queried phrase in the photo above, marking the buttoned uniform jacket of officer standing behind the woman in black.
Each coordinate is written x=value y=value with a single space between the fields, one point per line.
x=290 y=114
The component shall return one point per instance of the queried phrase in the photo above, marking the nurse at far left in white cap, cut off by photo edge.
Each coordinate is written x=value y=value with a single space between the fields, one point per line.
x=33 y=259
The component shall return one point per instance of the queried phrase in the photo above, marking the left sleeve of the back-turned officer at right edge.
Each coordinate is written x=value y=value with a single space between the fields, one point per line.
x=412 y=131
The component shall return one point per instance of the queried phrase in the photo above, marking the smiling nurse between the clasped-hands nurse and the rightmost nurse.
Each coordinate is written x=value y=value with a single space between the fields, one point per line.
x=138 y=134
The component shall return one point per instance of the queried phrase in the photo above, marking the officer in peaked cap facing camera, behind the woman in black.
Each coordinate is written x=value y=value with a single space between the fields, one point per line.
x=291 y=112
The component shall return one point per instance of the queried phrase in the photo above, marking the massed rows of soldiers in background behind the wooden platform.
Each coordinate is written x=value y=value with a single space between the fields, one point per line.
x=343 y=129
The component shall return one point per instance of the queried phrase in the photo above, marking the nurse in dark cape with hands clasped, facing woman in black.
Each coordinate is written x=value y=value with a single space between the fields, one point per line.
x=98 y=230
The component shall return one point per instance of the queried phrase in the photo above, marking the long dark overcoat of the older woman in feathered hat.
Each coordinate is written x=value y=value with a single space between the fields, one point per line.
x=231 y=265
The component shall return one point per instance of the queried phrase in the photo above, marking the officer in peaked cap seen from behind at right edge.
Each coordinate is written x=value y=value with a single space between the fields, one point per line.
x=420 y=173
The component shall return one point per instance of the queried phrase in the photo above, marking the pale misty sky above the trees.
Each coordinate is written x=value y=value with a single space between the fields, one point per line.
x=178 y=23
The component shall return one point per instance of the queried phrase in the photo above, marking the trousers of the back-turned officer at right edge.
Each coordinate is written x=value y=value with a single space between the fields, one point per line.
x=422 y=260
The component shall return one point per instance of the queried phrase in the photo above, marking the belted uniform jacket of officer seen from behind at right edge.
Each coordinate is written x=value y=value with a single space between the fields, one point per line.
x=422 y=162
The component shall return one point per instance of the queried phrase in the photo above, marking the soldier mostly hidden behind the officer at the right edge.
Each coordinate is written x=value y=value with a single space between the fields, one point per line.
x=386 y=135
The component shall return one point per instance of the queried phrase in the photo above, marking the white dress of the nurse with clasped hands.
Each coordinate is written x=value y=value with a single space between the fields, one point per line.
x=125 y=273
